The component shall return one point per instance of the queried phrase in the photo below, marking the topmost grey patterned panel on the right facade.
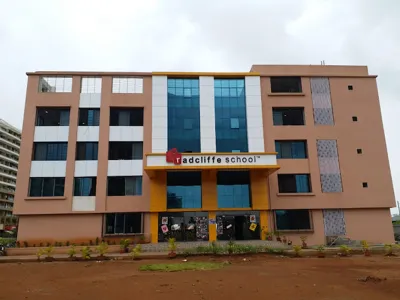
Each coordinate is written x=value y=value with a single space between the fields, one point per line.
x=321 y=98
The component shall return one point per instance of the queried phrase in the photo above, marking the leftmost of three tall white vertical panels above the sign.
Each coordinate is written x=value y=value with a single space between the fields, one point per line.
x=159 y=114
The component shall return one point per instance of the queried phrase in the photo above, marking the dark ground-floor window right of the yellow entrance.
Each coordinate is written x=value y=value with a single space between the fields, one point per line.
x=293 y=219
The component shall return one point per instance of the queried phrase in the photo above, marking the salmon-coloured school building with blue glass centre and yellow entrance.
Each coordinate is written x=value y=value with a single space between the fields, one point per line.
x=298 y=150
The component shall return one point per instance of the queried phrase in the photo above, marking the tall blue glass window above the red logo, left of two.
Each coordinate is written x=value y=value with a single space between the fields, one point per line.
x=184 y=114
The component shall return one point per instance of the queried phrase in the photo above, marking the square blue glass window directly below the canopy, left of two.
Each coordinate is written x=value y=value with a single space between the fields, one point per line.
x=183 y=190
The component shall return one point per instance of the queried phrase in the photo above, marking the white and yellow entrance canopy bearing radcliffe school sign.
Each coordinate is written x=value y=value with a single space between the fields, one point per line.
x=175 y=161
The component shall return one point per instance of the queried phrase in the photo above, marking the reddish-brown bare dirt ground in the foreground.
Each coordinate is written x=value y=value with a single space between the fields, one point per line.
x=261 y=277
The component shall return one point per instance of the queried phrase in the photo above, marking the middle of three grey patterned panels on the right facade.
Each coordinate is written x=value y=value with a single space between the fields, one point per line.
x=329 y=168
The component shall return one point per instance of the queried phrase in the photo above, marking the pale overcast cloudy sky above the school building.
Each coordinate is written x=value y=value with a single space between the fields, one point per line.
x=206 y=35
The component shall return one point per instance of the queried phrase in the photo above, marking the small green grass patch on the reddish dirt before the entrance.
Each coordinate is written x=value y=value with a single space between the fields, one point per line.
x=177 y=267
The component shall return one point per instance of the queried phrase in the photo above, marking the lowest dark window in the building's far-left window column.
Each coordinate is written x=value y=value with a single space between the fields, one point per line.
x=46 y=187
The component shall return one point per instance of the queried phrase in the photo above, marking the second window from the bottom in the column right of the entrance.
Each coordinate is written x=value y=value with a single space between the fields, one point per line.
x=294 y=183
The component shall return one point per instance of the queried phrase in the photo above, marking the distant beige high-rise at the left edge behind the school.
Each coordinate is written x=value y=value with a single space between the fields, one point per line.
x=10 y=140
